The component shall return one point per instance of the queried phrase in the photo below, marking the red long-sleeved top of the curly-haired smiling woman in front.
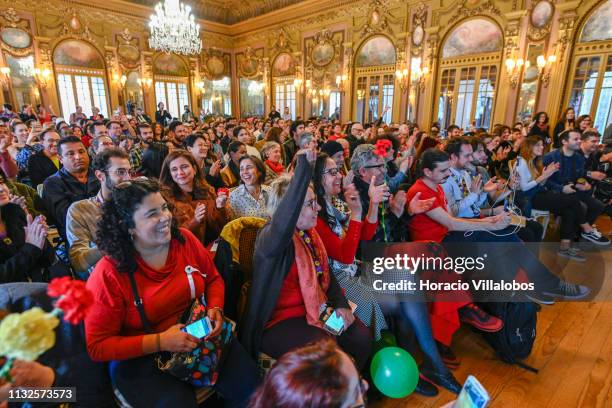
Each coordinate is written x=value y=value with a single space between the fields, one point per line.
x=113 y=327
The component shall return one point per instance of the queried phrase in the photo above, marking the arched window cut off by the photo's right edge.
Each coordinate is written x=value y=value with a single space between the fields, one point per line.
x=591 y=85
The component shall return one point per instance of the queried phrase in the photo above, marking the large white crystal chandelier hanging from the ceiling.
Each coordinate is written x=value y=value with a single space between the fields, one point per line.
x=173 y=29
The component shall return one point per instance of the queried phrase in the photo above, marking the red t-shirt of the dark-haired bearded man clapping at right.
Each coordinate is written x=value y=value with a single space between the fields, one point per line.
x=421 y=226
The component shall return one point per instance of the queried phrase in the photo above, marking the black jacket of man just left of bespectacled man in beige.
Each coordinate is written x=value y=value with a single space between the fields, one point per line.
x=61 y=190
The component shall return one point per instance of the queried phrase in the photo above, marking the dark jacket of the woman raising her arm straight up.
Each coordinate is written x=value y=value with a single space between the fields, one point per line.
x=274 y=255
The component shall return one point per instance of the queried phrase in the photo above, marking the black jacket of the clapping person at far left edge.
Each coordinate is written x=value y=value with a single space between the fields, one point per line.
x=19 y=261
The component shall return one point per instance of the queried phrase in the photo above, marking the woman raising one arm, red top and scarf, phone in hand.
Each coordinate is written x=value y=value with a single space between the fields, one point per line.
x=292 y=284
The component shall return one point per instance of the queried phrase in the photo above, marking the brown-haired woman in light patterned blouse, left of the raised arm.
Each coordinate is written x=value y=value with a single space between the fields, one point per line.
x=250 y=198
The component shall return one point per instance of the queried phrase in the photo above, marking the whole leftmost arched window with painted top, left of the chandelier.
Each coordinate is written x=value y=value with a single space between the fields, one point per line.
x=80 y=76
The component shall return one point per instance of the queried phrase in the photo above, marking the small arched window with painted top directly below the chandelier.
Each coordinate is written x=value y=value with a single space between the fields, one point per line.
x=171 y=77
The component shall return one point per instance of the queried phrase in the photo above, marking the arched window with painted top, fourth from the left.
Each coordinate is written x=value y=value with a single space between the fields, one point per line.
x=375 y=80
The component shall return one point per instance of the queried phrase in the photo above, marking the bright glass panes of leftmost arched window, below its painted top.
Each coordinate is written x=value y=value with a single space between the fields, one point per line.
x=82 y=90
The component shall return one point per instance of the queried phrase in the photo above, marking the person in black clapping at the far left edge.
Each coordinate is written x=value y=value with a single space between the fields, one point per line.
x=25 y=252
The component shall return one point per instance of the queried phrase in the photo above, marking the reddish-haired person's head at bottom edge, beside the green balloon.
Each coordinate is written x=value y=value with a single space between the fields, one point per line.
x=318 y=375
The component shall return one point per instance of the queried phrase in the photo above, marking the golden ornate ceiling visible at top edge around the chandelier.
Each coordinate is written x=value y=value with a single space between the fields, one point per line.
x=228 y=11
